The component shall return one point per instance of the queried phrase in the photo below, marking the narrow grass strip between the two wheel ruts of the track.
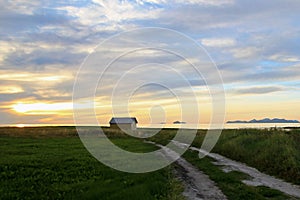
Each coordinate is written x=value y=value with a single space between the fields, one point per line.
x=230 y=183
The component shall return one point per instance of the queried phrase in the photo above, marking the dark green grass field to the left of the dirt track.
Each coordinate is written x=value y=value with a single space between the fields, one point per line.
x=43 y=164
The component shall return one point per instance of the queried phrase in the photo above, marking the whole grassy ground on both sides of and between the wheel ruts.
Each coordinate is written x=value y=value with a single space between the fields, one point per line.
x=52 y=163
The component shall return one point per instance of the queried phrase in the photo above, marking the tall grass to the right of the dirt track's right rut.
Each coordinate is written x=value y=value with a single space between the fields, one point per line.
x=275 y=152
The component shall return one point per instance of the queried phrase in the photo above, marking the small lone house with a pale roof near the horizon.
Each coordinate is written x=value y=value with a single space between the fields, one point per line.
x=126 y=123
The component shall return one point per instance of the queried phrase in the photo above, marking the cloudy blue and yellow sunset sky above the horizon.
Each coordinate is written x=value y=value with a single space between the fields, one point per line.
x=254 y=44
